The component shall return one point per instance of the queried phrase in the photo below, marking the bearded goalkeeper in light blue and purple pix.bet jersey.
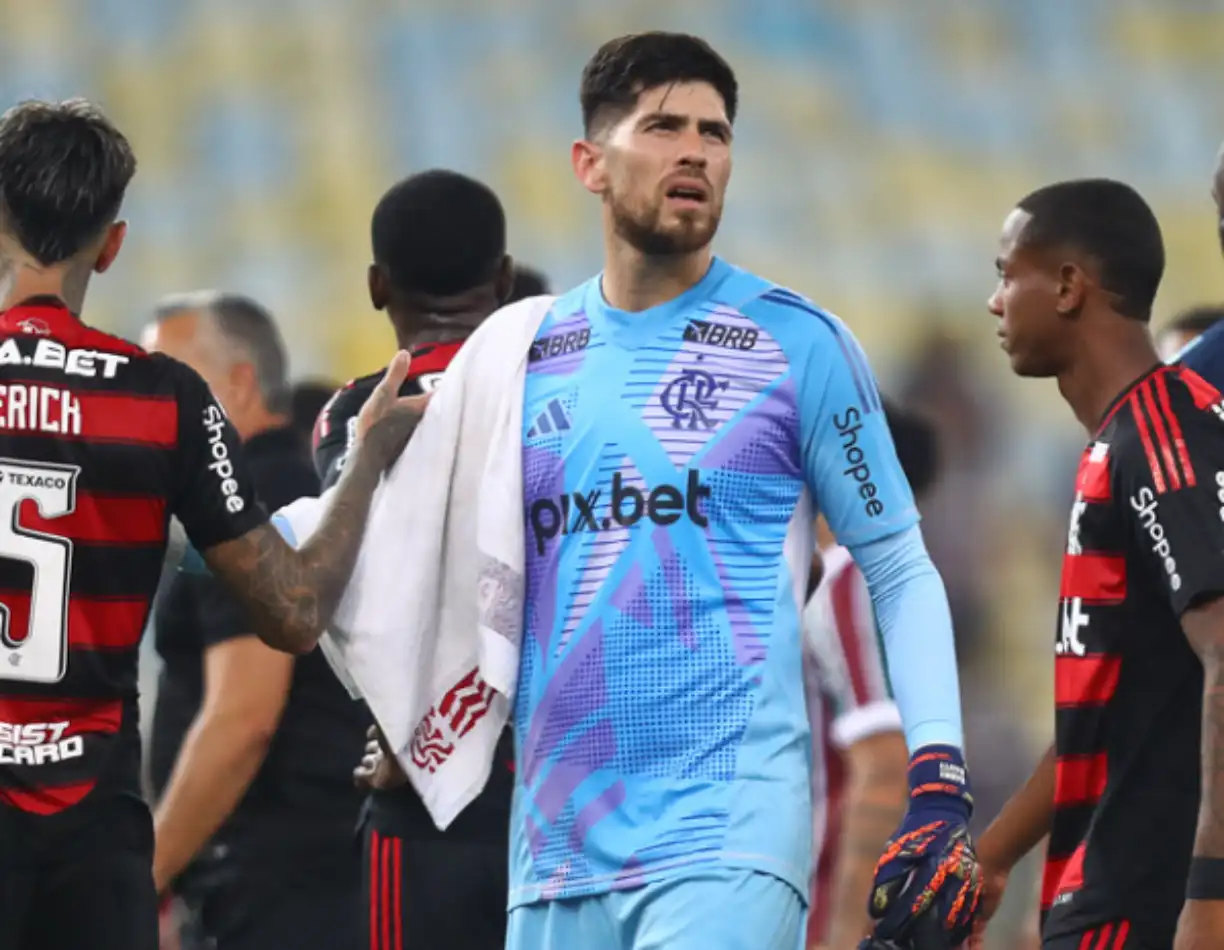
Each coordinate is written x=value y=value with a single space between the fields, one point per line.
x=684 y=423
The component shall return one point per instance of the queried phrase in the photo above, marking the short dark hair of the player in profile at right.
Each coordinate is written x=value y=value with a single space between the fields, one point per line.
x=1110 y=222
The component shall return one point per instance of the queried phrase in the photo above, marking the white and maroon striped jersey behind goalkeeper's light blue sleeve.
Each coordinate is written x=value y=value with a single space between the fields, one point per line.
x=849 y=701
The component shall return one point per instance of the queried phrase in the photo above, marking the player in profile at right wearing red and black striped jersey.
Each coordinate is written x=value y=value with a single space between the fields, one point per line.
x=1141 y=608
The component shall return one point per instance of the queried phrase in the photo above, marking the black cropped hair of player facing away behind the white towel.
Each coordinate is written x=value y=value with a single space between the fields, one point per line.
x=439 y=233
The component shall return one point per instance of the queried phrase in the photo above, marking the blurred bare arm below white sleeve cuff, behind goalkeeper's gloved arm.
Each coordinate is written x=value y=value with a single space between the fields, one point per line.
x=876 y=801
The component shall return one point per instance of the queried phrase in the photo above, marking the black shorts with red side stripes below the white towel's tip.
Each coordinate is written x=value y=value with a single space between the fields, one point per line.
x=434 y=893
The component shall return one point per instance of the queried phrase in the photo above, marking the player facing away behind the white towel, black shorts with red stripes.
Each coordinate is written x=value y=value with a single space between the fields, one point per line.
x=440 y=269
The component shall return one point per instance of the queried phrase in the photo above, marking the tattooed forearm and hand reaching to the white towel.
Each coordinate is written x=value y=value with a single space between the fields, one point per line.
x=293 y=594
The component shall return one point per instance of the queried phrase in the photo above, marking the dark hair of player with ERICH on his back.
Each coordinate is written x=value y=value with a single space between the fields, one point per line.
x=64 y=171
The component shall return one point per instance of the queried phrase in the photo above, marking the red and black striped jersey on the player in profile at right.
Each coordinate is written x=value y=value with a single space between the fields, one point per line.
x=1146 y=543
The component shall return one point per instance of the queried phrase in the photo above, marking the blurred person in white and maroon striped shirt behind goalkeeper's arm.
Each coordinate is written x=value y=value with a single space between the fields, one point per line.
x=861 y=795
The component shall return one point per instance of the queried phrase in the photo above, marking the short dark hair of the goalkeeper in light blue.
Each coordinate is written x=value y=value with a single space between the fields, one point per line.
x=625 y=68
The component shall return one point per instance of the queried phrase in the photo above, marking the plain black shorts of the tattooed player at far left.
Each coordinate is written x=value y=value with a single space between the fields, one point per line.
x=79 y=881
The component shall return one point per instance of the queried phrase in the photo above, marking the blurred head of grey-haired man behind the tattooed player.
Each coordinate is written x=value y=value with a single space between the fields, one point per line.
x=236 y=346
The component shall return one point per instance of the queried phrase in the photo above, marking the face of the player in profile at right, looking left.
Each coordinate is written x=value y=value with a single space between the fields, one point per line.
x=1035 y=302
